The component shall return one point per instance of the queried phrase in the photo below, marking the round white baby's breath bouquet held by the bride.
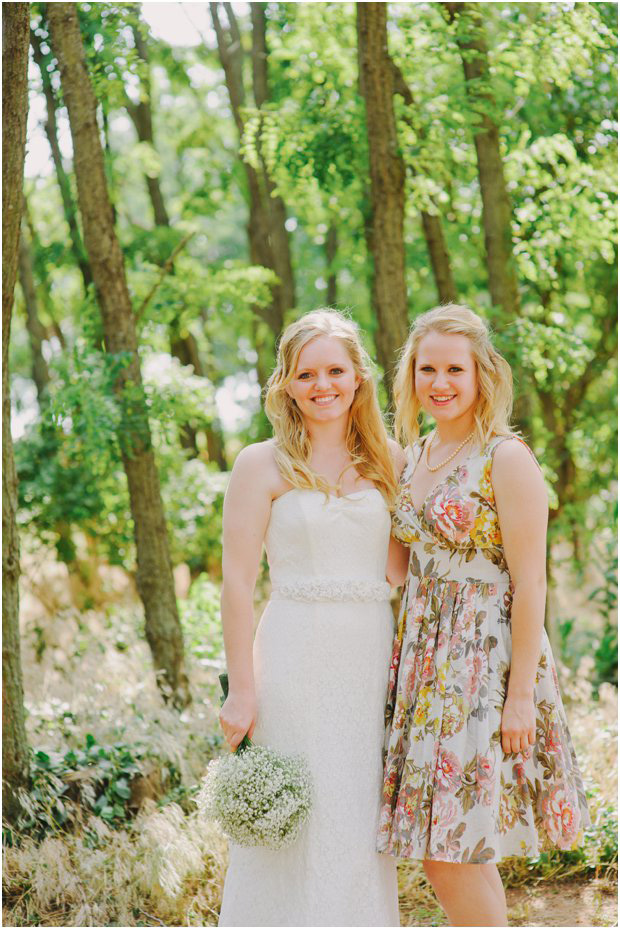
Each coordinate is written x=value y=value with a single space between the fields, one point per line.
x=257 y=795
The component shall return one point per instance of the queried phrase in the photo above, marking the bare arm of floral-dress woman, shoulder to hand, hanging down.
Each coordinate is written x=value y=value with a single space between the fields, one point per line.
x=522 y=508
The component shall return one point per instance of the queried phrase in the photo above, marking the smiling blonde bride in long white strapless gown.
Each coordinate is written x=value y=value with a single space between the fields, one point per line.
x=313 y=681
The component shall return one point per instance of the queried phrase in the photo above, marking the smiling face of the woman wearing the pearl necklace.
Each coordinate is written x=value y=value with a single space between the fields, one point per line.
x=446 y=379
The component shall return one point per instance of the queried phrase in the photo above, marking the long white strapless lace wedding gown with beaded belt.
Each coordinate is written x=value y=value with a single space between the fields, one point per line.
x=321 y=660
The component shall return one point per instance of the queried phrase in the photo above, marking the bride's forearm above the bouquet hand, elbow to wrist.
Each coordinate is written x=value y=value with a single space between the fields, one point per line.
x=238 y=625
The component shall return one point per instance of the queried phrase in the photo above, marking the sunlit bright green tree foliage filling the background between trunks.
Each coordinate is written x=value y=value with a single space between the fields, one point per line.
x=553 y=88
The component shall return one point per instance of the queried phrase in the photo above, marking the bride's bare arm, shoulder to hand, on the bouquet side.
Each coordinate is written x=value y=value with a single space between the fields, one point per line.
x=247 y=507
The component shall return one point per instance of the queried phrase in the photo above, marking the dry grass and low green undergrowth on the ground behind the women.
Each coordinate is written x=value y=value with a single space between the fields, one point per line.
x=110 y=835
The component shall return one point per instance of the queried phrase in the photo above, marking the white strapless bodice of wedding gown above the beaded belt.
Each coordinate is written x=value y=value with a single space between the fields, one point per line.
x=312 y=536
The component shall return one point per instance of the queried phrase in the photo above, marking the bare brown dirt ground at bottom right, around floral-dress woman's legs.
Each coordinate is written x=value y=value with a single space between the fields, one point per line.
x=588 y=903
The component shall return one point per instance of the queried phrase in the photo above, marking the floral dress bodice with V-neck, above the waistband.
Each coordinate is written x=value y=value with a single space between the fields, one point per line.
x=456 y=534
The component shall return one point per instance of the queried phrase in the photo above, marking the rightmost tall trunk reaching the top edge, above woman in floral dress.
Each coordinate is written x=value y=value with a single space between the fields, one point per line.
x=496 y=208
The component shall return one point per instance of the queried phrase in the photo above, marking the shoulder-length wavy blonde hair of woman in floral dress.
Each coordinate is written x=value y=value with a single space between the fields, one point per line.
x=494 y=407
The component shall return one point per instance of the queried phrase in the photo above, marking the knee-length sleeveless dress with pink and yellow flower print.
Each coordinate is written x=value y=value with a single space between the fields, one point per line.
x=450 y=792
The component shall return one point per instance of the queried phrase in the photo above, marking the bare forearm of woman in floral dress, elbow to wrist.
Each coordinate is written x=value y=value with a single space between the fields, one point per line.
x=527 y=619
